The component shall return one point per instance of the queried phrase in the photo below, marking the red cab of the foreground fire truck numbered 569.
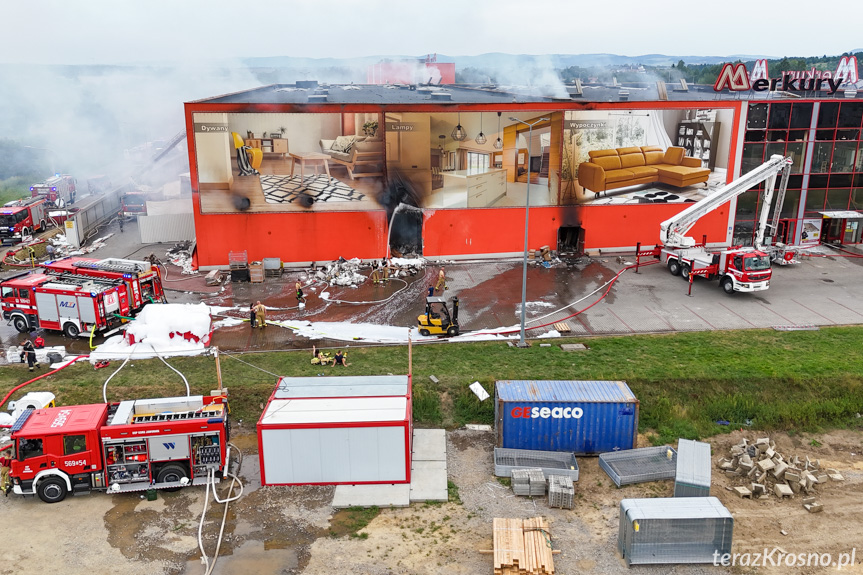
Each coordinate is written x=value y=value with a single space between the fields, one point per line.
x=57 y=450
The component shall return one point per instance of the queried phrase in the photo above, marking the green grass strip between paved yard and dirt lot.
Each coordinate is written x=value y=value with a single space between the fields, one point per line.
x=790 y=381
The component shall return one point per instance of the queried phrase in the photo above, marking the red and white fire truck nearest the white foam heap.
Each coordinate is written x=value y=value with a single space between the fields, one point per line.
x=68 y=303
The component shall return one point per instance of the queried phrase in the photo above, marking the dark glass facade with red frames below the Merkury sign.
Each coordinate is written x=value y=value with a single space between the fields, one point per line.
x=823 y=140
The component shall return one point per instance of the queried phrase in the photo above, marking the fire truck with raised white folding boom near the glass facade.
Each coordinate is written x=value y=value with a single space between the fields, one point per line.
x=738 y=268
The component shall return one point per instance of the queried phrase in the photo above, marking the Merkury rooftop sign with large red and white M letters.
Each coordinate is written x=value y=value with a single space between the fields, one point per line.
x=736 y=78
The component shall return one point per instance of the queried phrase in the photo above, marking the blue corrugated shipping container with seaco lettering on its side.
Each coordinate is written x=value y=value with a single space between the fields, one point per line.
x=584 y=417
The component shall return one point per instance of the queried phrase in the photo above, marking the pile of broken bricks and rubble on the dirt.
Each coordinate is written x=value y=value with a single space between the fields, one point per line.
x=769 y=472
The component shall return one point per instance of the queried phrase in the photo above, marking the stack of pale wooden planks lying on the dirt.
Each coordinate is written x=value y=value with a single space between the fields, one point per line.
x=522 y=547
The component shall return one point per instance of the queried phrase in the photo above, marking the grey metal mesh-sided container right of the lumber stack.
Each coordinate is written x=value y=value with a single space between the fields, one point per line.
x=666 y=530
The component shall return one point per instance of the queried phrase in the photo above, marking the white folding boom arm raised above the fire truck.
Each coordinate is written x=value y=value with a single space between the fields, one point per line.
x=673 y=230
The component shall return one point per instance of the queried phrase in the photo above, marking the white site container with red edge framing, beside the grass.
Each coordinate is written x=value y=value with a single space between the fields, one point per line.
x=337 y=430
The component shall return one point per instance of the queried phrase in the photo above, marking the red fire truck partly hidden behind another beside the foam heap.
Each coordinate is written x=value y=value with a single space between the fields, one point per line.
x=143 y=280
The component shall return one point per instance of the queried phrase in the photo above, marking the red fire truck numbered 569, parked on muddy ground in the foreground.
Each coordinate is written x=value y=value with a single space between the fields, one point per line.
x=164 y=443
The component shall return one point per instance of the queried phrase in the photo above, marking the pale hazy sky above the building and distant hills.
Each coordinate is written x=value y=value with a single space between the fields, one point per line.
x=144 y=31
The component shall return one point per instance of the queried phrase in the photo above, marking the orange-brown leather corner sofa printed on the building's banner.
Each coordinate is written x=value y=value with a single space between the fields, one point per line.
x=621 y=167
